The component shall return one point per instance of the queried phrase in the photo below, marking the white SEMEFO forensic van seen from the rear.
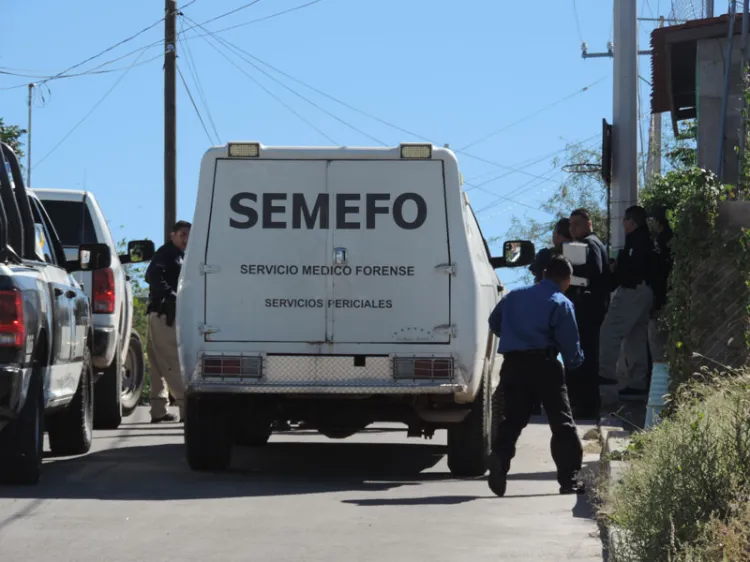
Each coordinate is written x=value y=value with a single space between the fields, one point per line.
x=339 y=287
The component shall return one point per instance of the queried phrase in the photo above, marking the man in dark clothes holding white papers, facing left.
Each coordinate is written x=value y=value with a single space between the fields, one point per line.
x=591 y=307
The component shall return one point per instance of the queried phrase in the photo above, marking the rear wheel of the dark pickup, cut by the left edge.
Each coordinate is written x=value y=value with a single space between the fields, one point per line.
x=22 y=440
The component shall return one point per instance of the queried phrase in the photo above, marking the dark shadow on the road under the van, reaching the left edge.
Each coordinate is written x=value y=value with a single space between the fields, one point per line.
x=160 y=472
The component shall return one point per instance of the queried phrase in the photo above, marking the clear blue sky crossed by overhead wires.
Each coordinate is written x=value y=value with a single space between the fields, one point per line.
x=455 y=72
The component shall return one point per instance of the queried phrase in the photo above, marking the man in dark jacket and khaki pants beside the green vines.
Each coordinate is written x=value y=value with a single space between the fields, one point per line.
x=630 y=309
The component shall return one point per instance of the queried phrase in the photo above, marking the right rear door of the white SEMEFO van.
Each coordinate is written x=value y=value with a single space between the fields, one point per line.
x=392 y=236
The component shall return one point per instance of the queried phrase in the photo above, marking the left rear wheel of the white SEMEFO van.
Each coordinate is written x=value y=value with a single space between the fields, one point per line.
x=208 y=440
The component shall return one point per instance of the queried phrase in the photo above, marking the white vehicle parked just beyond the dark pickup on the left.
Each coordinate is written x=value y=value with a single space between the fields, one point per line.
x=117 y=352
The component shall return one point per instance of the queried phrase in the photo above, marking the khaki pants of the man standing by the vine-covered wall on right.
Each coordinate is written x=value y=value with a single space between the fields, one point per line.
x=625 y=328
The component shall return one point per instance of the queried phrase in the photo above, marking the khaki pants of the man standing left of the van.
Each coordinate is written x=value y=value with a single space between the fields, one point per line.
x=164 y=366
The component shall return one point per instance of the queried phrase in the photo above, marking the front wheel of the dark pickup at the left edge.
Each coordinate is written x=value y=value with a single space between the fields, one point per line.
x=71 y=431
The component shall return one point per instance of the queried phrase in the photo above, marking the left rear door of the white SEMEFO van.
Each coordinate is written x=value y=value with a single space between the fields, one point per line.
x=258 y=243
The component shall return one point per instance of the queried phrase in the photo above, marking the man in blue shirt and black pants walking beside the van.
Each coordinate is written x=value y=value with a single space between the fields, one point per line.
x=534 y=324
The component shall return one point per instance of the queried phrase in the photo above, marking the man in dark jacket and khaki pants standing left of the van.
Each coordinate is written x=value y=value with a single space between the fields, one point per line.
x=162 y=275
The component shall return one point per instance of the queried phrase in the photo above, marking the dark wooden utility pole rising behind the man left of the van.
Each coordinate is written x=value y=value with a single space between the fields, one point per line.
x=170 y=117
